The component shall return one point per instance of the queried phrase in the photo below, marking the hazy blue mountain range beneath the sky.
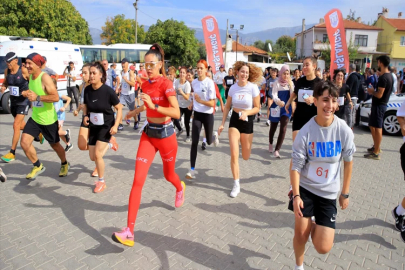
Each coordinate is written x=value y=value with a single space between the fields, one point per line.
x=248 y=38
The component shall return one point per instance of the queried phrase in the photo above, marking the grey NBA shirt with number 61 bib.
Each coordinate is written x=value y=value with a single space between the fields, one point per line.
x=317 y=155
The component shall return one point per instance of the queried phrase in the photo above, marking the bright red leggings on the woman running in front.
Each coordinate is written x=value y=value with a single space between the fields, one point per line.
x=146 y=153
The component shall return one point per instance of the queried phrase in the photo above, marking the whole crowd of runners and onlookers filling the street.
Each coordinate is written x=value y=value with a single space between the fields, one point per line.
x=320 y=106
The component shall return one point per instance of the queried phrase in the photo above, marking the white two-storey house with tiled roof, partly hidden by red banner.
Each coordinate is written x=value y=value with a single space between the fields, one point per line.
x=314 y=40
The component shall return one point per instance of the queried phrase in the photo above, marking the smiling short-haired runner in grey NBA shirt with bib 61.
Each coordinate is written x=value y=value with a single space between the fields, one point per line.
x=315 y=174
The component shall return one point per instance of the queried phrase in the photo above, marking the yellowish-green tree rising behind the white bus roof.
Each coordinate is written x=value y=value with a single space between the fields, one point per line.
x=121 y=30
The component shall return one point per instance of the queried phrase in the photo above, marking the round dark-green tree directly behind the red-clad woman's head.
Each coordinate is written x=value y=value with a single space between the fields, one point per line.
x=176 y=39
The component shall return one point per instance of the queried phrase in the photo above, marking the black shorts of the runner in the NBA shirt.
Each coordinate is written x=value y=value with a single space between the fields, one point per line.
x=324 y=210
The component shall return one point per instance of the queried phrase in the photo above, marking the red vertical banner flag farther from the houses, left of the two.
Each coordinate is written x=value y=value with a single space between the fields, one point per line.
x=213 y=43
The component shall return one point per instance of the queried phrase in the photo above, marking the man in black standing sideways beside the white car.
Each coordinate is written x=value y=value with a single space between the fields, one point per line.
x=381 y=96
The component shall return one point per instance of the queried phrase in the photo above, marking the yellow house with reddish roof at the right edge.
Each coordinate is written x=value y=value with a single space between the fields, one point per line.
x=392 y=38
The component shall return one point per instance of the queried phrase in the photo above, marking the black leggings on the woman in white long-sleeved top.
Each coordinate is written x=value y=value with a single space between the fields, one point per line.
x=200 y=119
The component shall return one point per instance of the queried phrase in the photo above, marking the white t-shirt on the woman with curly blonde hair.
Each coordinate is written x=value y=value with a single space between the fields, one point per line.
x=242 y=97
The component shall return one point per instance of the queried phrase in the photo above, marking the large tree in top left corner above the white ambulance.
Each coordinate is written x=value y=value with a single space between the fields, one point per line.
x=50 y=19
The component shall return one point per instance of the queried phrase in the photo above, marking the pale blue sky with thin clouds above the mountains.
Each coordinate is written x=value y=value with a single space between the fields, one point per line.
x=255 y=15
